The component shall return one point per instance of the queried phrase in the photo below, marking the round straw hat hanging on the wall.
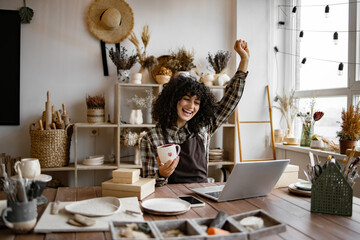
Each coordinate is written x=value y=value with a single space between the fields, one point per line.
x=110 y=20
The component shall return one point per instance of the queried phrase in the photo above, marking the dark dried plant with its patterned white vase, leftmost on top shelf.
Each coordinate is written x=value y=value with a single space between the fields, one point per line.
x=123 y=63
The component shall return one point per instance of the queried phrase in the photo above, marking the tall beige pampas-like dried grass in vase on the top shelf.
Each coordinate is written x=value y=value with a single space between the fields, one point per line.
x=146 y=62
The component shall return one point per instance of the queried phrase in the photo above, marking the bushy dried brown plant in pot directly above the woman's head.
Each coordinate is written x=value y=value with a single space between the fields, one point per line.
x=182 y=62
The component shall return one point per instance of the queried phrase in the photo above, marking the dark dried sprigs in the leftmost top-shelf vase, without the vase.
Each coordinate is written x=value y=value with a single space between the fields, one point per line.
x=121 y=59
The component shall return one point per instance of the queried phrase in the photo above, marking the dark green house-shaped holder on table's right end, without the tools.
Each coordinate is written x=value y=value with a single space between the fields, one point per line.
x=331 y=193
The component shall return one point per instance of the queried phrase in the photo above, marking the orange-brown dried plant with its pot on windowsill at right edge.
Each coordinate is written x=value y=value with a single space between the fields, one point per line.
x=350 y=128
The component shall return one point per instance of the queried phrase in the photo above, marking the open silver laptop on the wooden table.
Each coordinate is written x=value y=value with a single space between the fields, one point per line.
x=247 y=179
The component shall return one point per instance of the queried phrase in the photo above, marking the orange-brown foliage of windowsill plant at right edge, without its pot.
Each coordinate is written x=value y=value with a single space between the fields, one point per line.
x=350 y=126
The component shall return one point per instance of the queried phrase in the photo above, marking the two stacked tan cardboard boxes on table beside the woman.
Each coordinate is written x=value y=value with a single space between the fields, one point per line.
x=128 y=183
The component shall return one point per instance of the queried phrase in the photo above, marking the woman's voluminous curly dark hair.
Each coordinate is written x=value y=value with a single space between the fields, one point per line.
x=165 y=111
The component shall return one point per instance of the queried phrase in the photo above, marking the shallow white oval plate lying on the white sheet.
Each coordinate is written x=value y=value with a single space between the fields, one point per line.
x=95 y=207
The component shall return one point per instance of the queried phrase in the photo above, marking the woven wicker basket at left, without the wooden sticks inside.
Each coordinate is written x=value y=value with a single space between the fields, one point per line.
x=51 y=147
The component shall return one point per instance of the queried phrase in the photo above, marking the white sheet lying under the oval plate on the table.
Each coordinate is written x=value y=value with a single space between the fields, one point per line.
x=57 y=223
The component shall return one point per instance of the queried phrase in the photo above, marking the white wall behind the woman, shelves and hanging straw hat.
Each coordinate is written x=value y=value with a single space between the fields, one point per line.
x=59 y=54
